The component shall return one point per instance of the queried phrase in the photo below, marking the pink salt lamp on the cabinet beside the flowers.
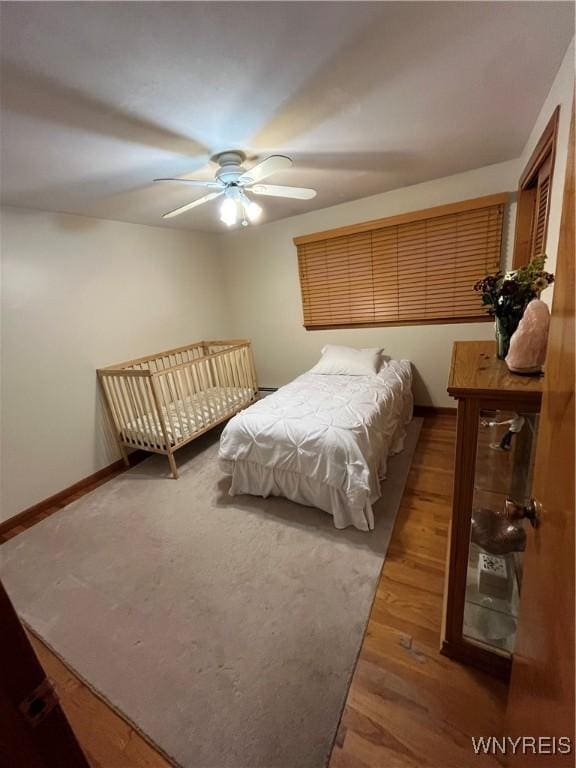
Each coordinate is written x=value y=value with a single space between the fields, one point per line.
x=528 y=344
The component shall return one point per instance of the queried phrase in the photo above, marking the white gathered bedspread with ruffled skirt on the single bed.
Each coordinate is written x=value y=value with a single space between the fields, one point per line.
x=322 y=440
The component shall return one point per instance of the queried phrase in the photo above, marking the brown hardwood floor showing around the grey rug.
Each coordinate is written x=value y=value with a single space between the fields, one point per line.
x=408 y=707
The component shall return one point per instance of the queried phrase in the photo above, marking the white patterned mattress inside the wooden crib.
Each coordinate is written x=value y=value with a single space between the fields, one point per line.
x=185 y=418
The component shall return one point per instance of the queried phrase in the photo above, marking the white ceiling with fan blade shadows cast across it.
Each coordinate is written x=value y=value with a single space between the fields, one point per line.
x=99 y=98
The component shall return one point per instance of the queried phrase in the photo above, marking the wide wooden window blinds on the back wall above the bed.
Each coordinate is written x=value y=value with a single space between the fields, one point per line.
x=413 y=268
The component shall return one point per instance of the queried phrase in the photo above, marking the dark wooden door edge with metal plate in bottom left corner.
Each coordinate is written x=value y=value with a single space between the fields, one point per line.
x=34 y=732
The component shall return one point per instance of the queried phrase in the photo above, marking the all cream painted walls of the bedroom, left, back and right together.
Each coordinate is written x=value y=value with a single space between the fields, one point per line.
x=78 y=293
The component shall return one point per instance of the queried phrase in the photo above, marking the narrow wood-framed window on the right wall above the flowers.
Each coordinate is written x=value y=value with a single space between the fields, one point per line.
x=534 y=197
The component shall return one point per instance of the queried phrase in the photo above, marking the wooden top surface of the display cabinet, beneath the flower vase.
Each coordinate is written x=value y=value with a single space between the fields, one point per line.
x=476 y=372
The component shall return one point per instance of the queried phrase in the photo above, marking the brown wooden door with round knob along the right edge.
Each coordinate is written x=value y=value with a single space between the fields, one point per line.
x=541 y=697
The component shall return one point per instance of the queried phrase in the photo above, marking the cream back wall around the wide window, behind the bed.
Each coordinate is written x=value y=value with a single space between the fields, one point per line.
x=263 y=289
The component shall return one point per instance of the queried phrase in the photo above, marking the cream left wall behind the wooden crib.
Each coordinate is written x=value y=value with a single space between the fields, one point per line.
x=79 y=293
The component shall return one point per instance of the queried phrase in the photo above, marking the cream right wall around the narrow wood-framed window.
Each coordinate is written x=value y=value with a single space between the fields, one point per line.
x=561 y=93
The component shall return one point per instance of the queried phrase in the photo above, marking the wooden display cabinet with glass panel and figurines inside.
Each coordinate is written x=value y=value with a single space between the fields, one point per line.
x=496 y=437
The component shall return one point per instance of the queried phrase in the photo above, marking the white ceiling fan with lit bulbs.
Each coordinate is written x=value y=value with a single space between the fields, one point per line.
x=232 y=181
